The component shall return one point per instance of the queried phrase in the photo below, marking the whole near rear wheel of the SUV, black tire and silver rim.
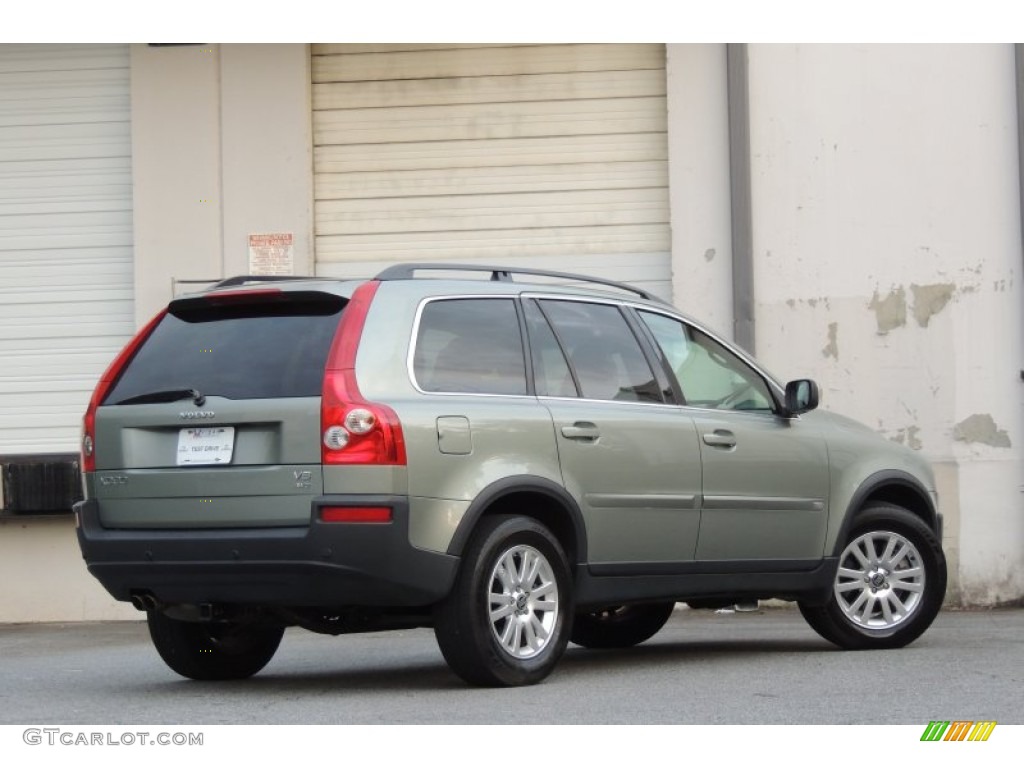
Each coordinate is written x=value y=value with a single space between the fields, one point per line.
x=523 y=646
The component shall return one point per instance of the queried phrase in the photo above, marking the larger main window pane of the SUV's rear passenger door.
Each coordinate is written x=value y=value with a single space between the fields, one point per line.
x=604 y=352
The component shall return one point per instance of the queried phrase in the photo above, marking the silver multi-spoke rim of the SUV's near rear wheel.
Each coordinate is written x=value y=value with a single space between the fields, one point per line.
x=523 y=602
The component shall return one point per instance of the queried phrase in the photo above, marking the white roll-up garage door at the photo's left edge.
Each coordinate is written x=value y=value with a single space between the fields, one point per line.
x=66 y=236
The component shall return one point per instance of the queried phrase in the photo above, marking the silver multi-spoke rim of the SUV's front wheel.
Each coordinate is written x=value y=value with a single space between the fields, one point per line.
x=881 y=581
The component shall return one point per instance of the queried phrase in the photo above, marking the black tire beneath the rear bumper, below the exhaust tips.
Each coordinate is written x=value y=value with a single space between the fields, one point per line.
x=214 y=652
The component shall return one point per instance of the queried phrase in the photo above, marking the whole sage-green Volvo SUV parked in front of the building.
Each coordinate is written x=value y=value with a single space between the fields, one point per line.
x=517 y=464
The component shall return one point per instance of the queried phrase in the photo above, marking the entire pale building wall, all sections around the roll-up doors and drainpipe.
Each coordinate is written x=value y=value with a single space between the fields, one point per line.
x=886 y=232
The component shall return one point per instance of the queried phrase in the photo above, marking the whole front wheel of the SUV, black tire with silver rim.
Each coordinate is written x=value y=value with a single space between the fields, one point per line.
x=871 y=609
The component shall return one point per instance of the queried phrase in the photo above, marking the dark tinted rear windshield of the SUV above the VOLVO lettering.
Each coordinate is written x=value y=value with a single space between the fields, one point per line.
x=239 y=352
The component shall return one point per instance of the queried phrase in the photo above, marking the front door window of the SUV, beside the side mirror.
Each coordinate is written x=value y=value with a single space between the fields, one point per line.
x=710 y=375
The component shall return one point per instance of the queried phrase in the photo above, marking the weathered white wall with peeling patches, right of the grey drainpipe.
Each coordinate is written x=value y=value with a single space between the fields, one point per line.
x=888 y=267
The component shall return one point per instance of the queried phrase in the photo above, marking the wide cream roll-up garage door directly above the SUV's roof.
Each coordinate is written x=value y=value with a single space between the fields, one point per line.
x=534 y=156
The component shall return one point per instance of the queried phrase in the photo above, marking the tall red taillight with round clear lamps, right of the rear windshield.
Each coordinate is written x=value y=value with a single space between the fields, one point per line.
x=353 y=430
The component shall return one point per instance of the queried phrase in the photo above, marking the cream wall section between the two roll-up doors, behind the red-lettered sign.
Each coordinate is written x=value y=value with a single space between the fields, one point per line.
x=223 y=149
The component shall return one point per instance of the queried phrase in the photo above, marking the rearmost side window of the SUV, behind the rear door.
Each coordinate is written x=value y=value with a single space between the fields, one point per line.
x=471 y=346
